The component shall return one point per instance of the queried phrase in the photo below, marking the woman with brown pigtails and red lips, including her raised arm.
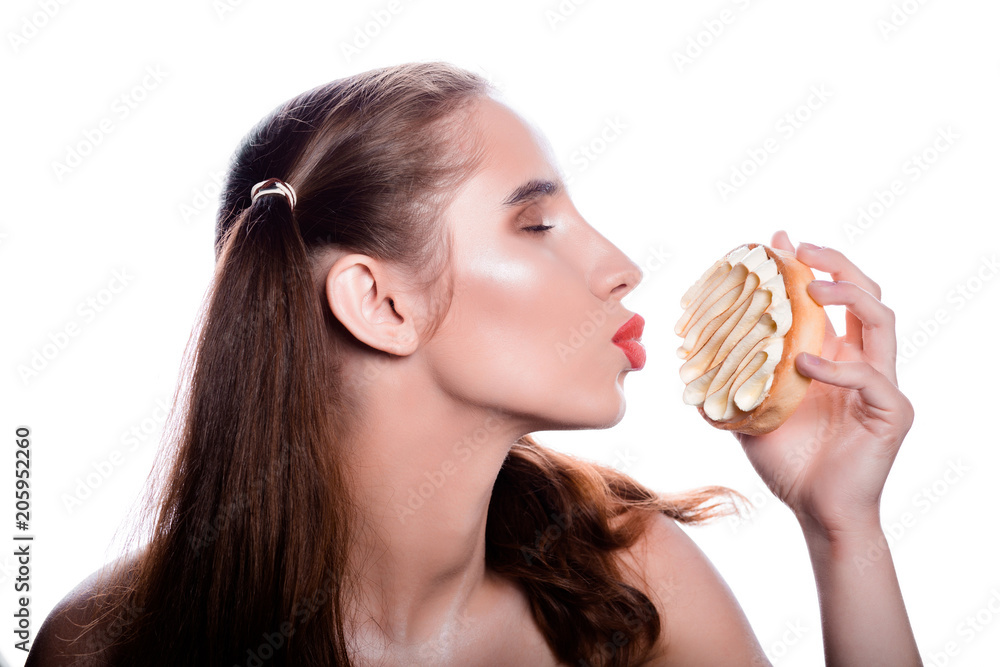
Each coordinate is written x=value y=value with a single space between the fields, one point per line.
x=398 y=263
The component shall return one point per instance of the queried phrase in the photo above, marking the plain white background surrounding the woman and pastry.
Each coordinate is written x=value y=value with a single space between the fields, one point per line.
x=142 y=201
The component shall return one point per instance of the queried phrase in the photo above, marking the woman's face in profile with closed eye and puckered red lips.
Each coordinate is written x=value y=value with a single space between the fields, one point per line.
x=534 y=311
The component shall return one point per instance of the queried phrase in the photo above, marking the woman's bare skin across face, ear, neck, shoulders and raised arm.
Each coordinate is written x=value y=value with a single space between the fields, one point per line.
x=439 y=417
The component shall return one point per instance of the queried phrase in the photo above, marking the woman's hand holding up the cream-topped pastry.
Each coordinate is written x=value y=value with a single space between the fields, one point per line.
x=829 y=461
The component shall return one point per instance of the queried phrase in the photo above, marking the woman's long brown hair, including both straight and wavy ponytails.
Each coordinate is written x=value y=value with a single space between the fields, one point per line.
x=246 y=562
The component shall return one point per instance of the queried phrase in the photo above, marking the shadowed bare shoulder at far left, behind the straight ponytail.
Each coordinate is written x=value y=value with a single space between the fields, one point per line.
x=75 y=632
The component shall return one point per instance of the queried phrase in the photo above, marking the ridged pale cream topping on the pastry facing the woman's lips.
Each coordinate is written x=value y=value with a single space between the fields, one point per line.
x=734 y=324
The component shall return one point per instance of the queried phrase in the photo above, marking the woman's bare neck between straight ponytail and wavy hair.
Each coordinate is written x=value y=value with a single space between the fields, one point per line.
x=423 y=479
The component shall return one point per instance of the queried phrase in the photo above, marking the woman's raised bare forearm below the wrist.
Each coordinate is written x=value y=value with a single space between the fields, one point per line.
x=861 y=605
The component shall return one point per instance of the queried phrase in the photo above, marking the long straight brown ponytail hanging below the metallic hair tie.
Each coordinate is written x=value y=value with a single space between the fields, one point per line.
x=254 y=523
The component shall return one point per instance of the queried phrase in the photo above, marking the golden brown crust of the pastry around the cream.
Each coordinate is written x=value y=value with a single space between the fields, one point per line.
x=804 y=335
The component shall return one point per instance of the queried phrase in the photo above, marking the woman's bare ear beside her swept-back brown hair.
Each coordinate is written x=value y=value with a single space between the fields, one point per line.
x=369 y=301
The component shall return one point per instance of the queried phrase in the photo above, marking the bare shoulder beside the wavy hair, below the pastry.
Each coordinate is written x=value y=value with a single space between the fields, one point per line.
x=702 y=623
